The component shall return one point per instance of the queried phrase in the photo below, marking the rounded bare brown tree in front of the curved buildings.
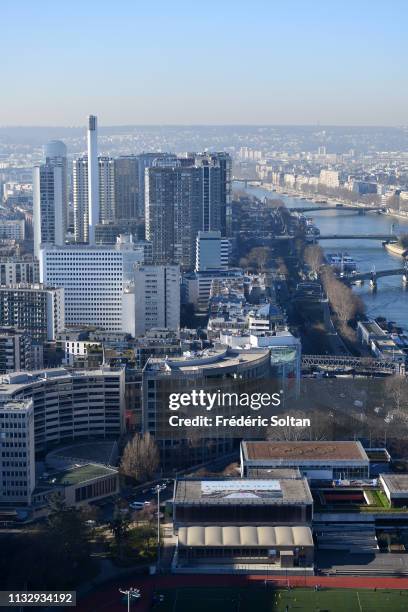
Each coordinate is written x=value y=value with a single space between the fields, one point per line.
x=140 y=458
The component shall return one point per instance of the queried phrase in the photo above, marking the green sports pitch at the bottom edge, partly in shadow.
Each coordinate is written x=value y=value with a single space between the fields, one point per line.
x=266 y=599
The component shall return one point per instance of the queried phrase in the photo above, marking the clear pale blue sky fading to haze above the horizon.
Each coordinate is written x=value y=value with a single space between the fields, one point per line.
x=202 y=62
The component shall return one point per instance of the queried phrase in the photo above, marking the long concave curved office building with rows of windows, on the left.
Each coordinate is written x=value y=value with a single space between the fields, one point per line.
x=70 y=405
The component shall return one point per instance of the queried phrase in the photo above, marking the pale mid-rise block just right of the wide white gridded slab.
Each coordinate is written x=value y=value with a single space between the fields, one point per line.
x=154 y=298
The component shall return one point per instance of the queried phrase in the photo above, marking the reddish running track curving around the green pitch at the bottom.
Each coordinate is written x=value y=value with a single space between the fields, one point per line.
x=107 y=599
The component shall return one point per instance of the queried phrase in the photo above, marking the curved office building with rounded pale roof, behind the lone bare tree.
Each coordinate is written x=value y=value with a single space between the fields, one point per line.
x=216 y=368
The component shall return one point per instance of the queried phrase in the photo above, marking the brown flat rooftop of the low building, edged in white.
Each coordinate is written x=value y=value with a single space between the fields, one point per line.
x=301 y=451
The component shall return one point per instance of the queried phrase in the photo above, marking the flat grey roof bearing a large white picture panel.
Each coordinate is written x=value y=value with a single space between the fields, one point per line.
x=241 y=491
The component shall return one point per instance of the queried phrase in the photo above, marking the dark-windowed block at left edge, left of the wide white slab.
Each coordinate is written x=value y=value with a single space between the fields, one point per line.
x=37 y=310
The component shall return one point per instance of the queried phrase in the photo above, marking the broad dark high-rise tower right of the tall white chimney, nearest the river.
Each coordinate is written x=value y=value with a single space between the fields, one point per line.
x=185 y=195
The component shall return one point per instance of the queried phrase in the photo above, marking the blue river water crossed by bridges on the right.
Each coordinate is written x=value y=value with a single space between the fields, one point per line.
x=391 y=297
